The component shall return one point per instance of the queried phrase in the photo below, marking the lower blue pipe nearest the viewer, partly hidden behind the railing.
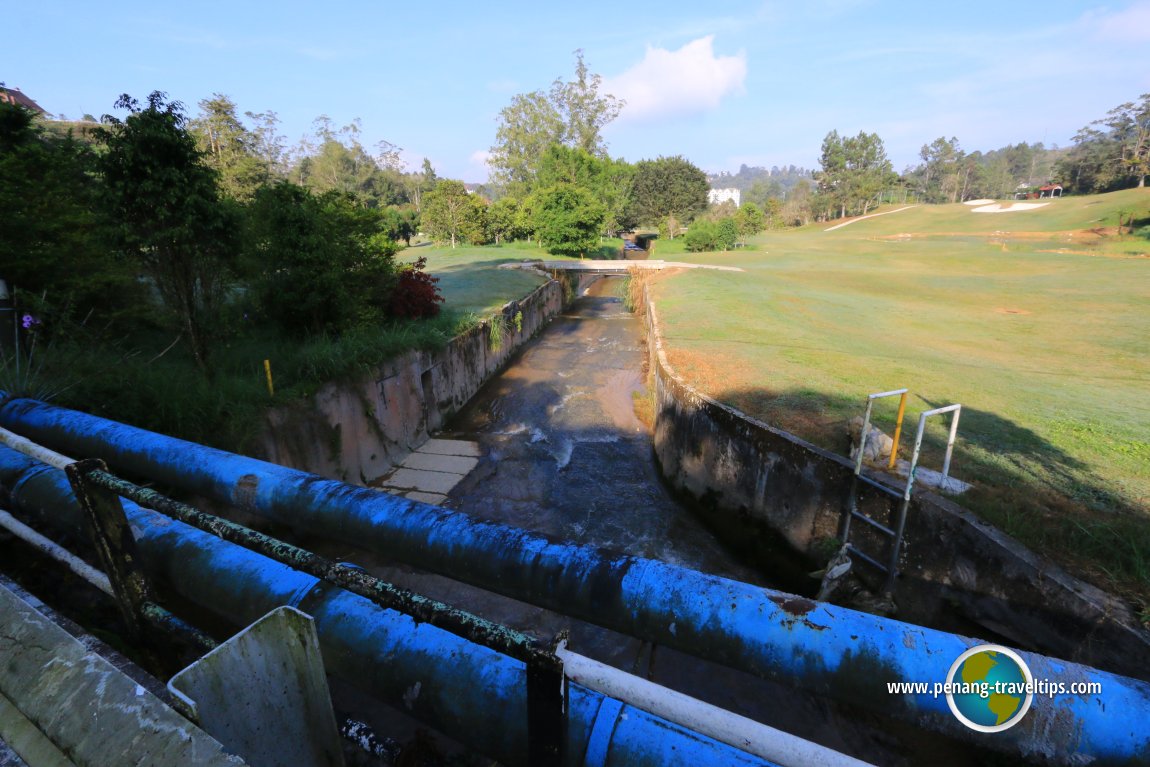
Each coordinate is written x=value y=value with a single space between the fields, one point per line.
x=479 y=699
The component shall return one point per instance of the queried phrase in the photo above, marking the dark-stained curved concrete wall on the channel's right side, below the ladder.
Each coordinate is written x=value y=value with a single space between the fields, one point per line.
x=755 y=484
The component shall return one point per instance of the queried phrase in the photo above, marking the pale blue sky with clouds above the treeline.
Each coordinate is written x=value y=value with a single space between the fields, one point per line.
x=722 y=83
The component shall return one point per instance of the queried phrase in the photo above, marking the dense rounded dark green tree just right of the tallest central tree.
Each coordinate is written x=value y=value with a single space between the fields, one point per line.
x=670 y=191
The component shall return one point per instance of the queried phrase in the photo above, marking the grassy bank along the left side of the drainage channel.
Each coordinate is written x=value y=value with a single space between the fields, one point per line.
x=139 y=382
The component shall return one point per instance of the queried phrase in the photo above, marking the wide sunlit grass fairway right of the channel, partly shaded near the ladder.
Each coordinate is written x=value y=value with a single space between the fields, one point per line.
x=1042 y=338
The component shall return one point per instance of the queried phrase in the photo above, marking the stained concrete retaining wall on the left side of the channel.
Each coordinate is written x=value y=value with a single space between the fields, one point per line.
x=358 y=431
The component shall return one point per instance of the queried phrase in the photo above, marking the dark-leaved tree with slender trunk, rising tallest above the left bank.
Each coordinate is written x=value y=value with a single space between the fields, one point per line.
x=172 y=220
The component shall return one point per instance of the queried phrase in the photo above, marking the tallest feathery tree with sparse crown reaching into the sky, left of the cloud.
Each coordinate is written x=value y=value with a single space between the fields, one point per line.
x=572 y=114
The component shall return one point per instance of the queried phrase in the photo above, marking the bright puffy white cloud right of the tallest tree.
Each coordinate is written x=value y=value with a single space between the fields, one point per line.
x=687 y=81
